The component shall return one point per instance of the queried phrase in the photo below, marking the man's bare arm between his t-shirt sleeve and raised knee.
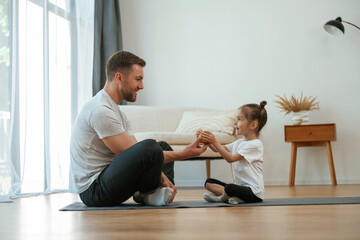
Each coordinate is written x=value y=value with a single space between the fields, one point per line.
x=120 y=142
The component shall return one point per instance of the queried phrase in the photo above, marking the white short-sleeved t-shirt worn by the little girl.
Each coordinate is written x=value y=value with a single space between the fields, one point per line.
x=248 y=172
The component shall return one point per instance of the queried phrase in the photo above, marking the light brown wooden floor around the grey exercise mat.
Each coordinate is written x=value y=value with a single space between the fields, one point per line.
x=39 y=218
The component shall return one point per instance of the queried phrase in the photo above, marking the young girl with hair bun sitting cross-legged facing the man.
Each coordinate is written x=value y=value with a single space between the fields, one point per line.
x=245 y=155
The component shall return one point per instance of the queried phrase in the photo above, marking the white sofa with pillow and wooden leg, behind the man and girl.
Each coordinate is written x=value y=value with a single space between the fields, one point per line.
x=177 y=126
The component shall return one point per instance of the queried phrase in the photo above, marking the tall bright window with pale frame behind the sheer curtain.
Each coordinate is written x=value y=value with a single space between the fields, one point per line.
x=44 y=60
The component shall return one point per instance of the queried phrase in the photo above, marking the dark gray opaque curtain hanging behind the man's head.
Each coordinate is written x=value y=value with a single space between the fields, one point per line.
x=107 y=38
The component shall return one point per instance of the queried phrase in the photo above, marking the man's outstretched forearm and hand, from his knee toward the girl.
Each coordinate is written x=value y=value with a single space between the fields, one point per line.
x=190 y=151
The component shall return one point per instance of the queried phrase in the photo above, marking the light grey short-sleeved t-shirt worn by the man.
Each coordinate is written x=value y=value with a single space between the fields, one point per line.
x=99 y=118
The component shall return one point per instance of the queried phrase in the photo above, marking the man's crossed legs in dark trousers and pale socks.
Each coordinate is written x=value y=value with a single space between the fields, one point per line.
x=135 y=170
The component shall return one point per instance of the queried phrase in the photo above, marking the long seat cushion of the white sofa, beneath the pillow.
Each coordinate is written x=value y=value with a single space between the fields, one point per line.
x=173 y=138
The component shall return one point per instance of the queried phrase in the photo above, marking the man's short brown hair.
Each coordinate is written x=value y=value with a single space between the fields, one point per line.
x=122 y=61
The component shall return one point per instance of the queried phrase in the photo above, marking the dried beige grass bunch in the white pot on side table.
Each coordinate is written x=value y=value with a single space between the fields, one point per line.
x=297 y=104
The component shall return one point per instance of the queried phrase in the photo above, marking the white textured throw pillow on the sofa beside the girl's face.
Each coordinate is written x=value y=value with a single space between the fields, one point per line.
x=214 y=121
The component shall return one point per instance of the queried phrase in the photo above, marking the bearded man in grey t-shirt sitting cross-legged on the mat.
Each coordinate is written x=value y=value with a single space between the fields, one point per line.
x=108 y=165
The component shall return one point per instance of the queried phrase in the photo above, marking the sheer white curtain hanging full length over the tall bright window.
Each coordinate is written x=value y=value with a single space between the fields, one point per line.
x=51 y=48
